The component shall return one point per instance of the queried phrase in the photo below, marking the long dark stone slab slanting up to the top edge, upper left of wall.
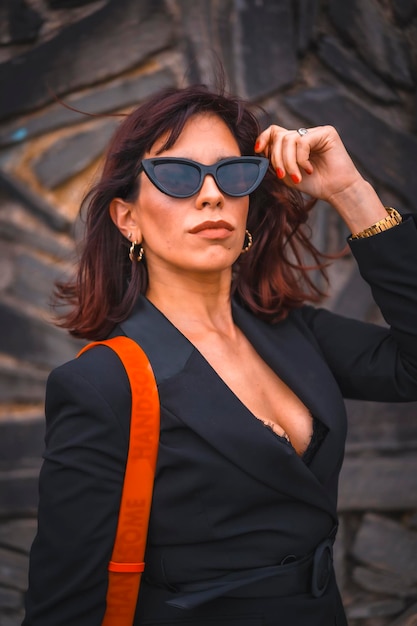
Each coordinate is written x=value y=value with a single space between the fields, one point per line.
x=112 y=40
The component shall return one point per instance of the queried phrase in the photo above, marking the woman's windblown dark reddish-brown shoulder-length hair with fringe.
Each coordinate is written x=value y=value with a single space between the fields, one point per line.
x=269 y=281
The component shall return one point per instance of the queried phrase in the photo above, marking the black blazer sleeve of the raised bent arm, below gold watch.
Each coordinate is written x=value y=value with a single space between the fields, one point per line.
x=372 y=362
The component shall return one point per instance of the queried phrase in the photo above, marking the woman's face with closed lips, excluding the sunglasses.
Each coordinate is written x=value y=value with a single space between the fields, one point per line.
x=200 y=234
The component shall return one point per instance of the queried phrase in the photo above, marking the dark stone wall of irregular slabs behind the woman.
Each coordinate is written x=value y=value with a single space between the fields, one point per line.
x=352 y=64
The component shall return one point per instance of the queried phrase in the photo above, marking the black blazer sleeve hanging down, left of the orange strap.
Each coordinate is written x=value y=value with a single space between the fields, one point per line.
x=87 y=417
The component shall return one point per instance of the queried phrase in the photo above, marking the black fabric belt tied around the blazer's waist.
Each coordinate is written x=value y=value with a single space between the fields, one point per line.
x=310 y=574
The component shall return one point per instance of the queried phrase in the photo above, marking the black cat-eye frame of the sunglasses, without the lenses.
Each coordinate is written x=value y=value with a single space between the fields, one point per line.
x=148 y=166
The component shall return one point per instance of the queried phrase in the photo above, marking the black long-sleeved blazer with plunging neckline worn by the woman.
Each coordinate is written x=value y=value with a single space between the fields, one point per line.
x=229 y=494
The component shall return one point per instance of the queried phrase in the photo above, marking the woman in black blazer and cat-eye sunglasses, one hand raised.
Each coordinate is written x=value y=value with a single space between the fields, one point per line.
x=251 y=379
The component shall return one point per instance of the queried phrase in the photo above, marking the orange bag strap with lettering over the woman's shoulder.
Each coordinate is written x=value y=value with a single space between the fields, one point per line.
x=126 y=565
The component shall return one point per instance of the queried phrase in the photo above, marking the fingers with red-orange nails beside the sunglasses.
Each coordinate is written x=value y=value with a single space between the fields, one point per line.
x=288 y=151
